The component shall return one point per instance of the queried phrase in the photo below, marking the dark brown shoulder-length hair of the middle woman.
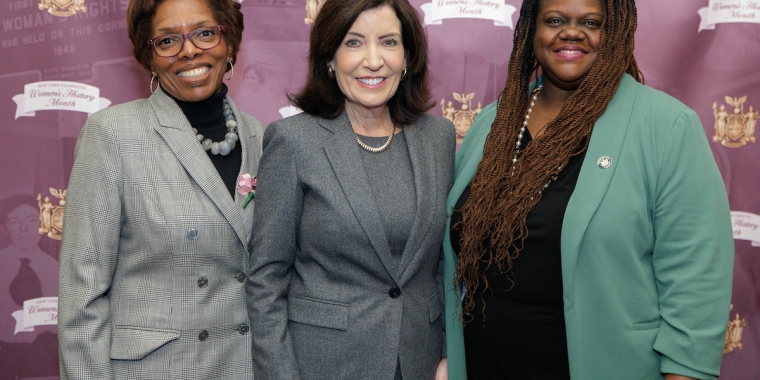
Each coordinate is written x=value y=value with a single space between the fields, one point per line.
x=321 y=95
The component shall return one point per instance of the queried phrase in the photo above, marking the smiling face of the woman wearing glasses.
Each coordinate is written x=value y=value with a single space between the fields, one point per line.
x=193 y=74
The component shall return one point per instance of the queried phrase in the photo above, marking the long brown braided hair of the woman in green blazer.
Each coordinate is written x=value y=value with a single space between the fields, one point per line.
x=500 y=199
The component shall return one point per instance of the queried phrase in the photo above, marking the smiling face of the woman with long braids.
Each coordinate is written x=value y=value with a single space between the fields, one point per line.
x=566 y=44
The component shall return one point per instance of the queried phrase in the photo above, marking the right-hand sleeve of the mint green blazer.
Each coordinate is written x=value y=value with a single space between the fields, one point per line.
x=693 y=253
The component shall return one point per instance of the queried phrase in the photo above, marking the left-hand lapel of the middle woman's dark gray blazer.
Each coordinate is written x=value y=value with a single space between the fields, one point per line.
x=346 y=163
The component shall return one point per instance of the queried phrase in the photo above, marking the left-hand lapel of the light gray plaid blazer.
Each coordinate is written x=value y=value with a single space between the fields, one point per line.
x=177 y=132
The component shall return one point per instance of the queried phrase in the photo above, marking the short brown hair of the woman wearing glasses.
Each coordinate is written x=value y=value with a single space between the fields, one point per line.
x=140 y=14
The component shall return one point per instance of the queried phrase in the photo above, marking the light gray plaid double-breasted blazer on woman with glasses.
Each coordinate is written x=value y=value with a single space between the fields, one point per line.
x=154 y=251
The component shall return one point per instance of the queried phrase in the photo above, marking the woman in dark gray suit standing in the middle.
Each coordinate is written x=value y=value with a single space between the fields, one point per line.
x=351 y=214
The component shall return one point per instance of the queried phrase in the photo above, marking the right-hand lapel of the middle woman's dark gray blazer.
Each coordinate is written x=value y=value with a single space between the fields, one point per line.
x=423 y=158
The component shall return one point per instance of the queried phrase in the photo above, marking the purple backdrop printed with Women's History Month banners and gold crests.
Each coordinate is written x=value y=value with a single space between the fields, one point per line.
x=62 y=63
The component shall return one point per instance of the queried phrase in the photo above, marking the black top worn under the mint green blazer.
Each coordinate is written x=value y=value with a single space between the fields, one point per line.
x=521 y=332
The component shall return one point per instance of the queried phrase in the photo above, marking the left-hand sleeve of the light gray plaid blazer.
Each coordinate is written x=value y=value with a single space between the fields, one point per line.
x=92 y=221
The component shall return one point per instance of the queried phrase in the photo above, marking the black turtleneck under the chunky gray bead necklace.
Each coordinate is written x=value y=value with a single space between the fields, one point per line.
x=207 y=116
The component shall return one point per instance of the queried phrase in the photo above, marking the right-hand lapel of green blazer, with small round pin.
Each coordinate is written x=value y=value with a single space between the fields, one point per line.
x=594 y=180
